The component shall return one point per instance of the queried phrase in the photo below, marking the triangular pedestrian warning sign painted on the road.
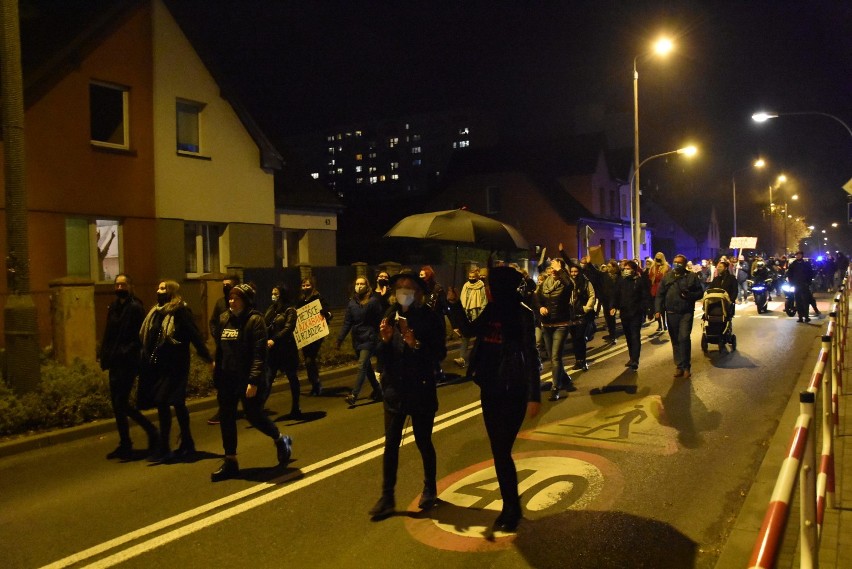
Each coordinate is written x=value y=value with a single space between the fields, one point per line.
x=636 y=426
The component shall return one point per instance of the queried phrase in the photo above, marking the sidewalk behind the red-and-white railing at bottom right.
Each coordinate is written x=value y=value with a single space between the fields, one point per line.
x=836 y=541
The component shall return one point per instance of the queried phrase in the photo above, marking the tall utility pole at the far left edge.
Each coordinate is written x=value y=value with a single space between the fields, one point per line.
x=22 y=372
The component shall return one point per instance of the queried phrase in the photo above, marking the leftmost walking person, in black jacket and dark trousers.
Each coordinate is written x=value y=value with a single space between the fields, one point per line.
x=120 y=349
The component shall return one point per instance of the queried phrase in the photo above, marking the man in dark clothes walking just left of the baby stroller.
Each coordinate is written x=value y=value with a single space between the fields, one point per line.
x=679 y=290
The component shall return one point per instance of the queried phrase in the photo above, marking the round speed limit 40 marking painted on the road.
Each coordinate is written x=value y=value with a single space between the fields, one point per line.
x=549 y=482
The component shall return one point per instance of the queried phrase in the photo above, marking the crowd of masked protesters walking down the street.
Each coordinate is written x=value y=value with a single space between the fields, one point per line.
x=512 y=321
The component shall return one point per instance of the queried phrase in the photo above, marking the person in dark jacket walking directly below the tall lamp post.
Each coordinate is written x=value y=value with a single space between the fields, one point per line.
x=631 y=299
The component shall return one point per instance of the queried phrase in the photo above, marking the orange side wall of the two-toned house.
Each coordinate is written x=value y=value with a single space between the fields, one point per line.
x=66 y=175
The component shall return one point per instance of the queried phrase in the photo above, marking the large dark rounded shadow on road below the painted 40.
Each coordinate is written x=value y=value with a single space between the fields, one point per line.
x=603 y=540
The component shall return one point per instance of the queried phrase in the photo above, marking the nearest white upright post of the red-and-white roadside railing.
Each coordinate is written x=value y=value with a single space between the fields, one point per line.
x=808 y=537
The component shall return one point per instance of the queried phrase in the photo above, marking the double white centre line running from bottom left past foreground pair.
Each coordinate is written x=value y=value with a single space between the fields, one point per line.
x=447 y=419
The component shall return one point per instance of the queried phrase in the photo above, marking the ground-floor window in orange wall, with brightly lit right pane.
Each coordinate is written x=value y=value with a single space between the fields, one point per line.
x=92 y=248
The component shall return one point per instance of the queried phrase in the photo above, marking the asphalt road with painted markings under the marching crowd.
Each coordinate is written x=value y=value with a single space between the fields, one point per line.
x=631 y=470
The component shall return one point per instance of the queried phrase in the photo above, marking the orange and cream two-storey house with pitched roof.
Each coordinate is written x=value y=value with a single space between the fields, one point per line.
x=139 y=158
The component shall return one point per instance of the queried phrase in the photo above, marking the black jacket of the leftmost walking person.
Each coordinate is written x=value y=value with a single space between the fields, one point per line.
x=121 y=346
